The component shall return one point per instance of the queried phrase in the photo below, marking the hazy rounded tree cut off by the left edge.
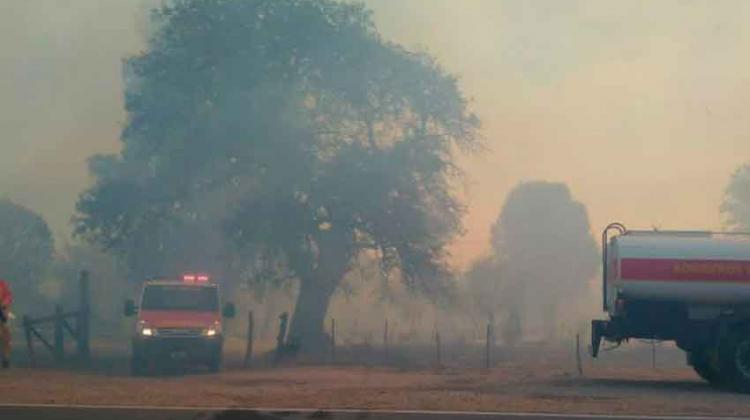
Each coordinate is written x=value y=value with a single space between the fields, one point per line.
x=26 y=248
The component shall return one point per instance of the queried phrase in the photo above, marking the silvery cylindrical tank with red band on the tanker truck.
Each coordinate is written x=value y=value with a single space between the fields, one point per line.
x=694 y=267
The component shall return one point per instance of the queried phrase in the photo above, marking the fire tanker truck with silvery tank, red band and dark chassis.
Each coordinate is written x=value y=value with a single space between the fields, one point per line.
x=689 y=287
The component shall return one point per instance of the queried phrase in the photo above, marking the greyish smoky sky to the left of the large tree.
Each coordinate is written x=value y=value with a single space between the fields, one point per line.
x=62 y=95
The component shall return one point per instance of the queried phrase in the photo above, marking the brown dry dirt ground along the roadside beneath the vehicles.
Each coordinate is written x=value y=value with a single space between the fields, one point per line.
x=529 y=379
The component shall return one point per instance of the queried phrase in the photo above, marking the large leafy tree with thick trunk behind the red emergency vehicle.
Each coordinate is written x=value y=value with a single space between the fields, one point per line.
x=286 y=139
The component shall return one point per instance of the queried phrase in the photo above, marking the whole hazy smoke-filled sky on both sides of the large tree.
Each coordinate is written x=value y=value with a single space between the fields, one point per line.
x=637 y=106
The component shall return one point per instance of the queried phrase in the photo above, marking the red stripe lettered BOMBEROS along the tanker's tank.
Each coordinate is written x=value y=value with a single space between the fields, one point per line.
x=684 y=270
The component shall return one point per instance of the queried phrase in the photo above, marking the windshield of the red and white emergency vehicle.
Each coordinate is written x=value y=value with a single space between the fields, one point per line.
x=180 y=298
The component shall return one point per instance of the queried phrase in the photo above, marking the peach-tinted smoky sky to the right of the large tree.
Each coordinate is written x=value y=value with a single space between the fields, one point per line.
x=636 y=105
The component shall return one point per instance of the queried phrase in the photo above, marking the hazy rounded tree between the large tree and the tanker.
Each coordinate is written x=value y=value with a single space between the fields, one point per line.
x=544 y=241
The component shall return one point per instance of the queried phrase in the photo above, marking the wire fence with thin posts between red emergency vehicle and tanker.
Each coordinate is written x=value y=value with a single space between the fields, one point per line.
x=445 y=347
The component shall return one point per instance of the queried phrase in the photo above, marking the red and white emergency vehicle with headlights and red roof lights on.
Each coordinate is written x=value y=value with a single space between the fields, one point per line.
x=178 y=322
